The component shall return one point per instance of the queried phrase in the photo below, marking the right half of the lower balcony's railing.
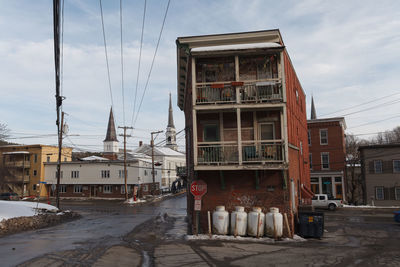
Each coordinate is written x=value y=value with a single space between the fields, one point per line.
x=262 y=151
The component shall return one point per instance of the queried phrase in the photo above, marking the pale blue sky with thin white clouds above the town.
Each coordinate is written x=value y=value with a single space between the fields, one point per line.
x=346 y=55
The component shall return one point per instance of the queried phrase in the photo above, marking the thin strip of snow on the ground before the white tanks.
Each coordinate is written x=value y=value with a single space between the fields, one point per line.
x=296 y=238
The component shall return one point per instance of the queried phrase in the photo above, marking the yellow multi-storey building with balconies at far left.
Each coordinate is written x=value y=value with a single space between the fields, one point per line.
x=24 y=167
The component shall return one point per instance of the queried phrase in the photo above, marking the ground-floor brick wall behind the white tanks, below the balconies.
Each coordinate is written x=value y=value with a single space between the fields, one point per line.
x=240 y=190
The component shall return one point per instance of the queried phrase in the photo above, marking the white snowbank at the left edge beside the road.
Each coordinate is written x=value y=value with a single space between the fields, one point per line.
x=12 y=209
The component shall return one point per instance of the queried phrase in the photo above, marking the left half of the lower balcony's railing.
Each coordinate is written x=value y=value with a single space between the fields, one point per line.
x=219 y=153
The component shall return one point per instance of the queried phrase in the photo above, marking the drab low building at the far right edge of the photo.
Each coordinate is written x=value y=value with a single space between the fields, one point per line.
x=380 y=169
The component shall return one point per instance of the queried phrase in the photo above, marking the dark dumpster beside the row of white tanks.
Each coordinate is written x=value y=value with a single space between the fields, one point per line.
x=311 y=224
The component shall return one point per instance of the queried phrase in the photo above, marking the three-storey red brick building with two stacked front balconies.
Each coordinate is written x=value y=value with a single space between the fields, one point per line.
x=246 y=126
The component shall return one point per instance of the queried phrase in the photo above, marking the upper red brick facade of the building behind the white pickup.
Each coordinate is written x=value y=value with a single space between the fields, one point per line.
x=335 y=147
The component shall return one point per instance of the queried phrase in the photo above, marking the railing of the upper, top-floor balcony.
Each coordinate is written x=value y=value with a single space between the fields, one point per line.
x=224 y=93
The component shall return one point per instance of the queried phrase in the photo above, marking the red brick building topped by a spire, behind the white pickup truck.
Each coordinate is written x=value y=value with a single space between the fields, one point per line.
x=327 y=157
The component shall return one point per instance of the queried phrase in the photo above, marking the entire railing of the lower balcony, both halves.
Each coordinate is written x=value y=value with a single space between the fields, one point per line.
x=227 y=153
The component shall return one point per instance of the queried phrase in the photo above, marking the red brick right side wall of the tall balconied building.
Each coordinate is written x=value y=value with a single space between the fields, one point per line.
x=297 y=126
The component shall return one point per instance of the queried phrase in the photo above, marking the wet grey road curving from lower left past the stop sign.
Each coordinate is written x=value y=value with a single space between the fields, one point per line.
x=101 y=222
